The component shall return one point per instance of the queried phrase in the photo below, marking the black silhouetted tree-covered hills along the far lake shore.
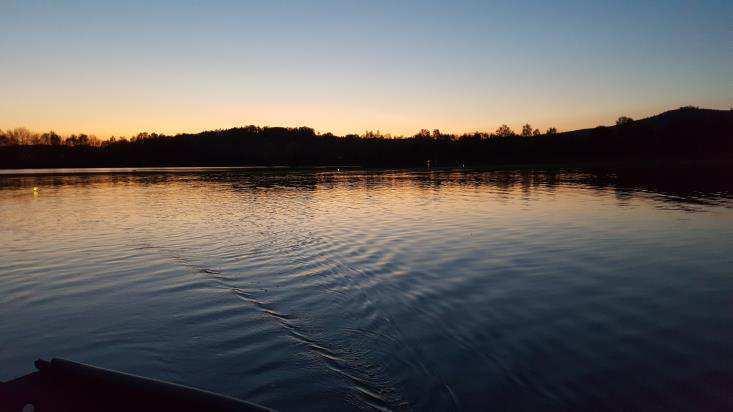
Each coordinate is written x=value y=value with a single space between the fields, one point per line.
x=684 y=134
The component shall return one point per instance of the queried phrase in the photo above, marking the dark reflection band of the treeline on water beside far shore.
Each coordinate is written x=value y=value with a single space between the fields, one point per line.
x=669 y=186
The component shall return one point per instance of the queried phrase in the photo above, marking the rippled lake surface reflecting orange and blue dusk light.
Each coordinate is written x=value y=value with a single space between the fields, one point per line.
x=390 y=290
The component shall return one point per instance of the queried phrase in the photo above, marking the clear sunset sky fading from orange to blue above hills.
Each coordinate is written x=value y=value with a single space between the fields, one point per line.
x=117 y=68
